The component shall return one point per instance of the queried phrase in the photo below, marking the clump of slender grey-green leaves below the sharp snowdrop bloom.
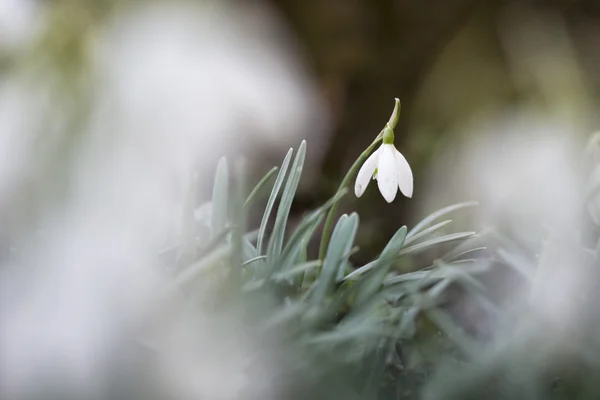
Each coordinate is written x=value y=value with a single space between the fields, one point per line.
x=356 y=331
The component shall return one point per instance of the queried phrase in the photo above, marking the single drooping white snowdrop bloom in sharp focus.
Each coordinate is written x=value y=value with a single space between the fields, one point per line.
x=389 y=167
